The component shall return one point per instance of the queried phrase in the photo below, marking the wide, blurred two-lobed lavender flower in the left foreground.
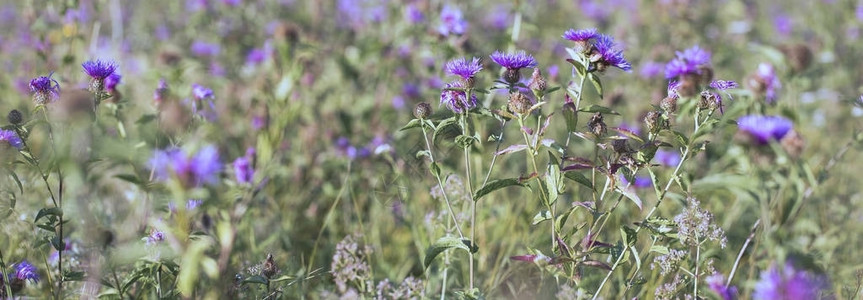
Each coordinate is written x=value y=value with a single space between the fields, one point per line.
x=192 y=170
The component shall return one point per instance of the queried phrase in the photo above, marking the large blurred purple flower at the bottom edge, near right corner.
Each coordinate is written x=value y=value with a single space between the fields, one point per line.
x=786 y=283
